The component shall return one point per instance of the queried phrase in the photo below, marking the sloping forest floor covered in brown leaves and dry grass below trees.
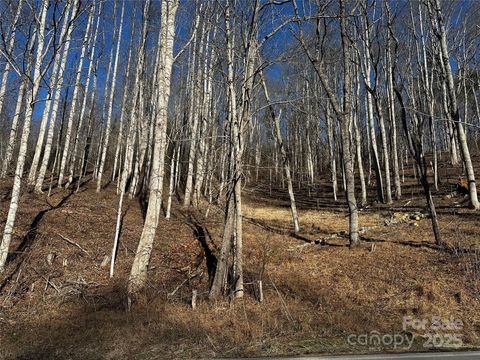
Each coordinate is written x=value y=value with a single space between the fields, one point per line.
x=57 y=300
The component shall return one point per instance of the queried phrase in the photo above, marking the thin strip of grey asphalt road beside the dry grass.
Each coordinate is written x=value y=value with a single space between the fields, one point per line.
x=462 y=355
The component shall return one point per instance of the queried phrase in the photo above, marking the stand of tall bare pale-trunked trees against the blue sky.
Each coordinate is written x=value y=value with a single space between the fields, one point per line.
x=194 y=99
